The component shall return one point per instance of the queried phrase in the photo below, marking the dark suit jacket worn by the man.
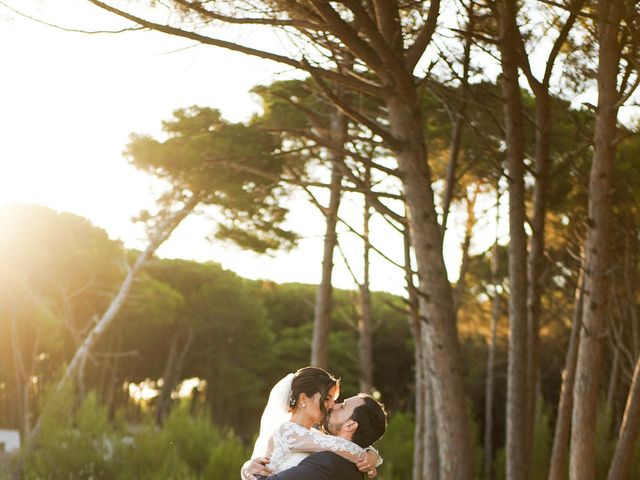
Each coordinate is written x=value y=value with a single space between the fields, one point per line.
x=320 y=466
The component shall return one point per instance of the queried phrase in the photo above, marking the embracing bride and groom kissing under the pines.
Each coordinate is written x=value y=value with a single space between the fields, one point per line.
x=289 y=448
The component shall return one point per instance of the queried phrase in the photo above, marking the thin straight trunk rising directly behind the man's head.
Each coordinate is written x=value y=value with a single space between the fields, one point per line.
x=365 y=324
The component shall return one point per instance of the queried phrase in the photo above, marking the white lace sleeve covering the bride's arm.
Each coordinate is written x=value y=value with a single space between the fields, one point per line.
x=299 y=439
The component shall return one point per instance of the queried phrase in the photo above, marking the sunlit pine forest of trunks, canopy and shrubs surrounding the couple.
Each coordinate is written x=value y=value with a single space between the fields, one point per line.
x=119 y=364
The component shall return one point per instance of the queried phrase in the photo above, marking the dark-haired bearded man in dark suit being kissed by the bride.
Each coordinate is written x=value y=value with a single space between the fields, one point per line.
x=360 y=419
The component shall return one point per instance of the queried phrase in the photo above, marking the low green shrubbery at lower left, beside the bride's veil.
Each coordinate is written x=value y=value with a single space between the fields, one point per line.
x=83 y=444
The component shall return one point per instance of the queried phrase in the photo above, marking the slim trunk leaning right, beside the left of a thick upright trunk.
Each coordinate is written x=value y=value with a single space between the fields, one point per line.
x=560 y=450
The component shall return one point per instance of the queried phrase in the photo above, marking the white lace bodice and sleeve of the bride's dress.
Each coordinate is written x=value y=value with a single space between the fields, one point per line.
x=291 y=443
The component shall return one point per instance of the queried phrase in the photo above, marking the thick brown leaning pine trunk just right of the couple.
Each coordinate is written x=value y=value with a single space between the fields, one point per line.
x=440 y=335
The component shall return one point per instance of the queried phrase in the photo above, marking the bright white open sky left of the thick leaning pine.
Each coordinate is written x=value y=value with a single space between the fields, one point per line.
x=70 y=100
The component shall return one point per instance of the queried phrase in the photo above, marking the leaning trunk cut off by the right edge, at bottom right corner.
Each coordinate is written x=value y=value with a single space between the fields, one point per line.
x=627 y=437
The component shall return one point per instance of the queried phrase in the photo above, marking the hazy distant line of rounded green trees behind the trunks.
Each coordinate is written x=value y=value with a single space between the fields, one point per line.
x=186 y=319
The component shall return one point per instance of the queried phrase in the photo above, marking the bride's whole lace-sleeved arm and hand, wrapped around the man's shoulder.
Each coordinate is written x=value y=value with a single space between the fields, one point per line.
x=303 y=440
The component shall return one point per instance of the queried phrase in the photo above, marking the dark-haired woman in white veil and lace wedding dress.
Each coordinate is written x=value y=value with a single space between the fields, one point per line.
x=297 y=403
